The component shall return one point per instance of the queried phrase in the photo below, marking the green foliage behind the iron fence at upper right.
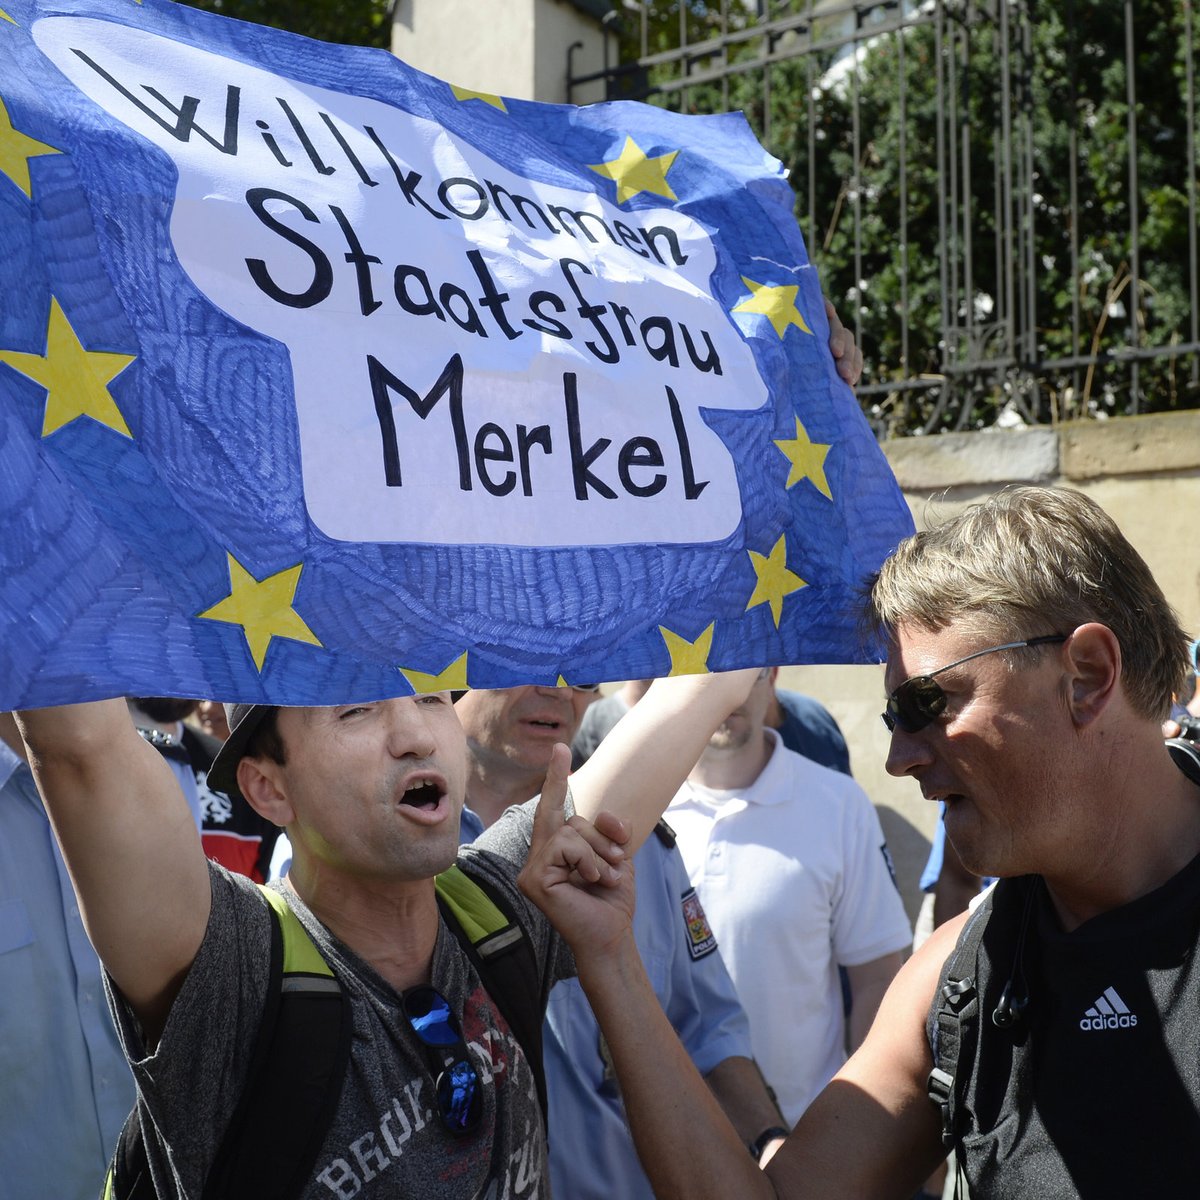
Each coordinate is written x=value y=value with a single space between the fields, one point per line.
x=973 y=173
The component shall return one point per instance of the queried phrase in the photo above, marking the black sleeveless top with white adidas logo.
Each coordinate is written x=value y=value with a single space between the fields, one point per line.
x=1095 y=1093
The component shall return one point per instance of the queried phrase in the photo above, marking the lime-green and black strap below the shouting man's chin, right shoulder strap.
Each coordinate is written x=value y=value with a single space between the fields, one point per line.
x=487 y=928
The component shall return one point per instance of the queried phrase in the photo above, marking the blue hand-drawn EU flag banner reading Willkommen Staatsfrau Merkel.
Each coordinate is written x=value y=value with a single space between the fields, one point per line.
x=322 y=380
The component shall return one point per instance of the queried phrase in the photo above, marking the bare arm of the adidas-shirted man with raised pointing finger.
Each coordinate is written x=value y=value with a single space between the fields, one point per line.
x=872 y=1133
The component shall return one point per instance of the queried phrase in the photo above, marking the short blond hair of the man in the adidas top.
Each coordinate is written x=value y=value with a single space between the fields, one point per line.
x=1033 y=561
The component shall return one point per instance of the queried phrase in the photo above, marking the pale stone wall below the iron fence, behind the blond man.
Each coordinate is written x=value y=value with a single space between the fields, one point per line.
x=1145 y=471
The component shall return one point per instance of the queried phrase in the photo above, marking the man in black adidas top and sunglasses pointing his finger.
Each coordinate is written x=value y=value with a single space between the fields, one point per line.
x=1052 y=1035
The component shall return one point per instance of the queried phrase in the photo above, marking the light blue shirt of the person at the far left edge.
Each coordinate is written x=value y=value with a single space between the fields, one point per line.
x=65 y=1089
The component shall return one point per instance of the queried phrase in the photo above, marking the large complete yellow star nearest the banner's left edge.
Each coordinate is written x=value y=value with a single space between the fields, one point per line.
x=76 y=381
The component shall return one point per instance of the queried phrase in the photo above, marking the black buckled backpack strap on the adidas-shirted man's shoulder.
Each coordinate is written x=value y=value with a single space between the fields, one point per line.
x=956 y=1023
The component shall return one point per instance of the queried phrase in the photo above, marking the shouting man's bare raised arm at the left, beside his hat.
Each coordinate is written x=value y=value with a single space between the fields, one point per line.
x=131 y=847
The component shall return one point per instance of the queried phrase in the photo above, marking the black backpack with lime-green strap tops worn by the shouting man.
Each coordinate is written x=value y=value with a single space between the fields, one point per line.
x=303 y=1048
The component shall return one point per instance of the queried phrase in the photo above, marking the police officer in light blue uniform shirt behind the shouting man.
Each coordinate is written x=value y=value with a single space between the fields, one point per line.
x=511 y=735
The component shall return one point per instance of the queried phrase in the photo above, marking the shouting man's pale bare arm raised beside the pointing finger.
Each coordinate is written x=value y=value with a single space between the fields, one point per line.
x=640 y=766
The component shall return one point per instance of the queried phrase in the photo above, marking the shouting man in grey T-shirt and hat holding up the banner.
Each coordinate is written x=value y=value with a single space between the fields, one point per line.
x=370 y=796
